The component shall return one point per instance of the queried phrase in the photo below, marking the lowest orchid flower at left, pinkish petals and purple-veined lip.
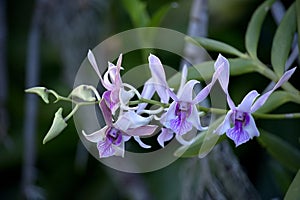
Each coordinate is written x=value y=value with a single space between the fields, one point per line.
x=112 y=137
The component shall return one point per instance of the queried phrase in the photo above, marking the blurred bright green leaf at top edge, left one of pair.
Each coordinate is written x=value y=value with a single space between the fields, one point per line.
x=137 y=12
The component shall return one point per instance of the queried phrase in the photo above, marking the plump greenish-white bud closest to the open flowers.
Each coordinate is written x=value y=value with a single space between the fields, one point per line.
x=83 y=92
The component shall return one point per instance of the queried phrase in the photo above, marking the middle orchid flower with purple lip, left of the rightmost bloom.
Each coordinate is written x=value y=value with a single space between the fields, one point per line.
x=182 y=114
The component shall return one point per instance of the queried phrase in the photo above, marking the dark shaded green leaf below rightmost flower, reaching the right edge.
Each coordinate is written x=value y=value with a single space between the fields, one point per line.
x=282 y=151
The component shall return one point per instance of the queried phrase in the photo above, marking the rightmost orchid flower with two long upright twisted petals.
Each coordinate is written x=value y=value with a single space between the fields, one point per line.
x=239 y=124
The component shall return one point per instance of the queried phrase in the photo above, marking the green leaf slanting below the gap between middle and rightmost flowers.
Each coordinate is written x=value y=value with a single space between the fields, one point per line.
x=206 y=138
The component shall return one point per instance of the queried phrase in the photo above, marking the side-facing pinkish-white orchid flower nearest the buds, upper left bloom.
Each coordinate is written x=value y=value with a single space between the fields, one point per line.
x=115 y=94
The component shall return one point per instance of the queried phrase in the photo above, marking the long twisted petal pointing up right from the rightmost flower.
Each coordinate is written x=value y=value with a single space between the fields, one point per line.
x=263 y=98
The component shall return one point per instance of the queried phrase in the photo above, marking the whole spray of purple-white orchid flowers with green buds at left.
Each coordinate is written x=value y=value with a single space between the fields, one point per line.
x=177 y=112
